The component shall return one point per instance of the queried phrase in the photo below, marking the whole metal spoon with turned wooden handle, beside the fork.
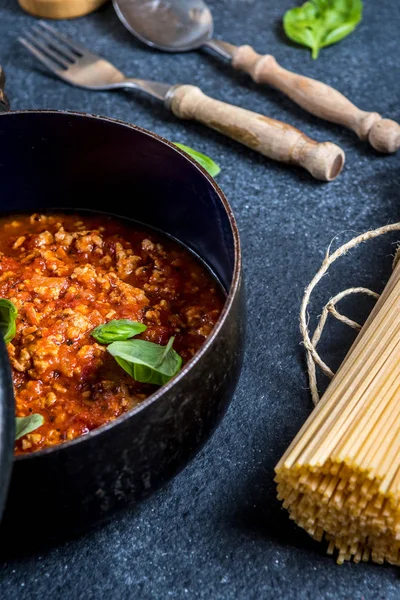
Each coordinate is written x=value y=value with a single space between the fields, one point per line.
x=182 y=25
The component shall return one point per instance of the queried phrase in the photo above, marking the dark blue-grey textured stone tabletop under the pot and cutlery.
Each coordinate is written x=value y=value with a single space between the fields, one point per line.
x=217 y=530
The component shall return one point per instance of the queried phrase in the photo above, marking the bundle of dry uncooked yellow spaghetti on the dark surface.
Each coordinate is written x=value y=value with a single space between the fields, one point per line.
x=340 y=477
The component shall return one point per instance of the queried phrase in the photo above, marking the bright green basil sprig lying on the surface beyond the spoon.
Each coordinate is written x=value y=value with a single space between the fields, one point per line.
x=320 y=23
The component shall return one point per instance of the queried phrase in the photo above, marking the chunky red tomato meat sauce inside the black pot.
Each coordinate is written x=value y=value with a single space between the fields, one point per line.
x=67 y=274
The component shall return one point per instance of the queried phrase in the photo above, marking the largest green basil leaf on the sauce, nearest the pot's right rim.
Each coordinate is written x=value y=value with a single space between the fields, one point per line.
x=147 y=362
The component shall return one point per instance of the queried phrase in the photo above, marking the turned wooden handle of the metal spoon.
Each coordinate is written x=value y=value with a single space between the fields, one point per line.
x=319 y=99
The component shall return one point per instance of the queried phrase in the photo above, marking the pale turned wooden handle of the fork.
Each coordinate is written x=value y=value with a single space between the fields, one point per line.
x=271 y=138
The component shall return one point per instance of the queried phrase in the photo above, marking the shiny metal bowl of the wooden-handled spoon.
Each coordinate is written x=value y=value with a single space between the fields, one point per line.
x=176 y=26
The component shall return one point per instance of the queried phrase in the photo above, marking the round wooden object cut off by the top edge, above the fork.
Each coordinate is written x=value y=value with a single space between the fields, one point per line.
x=60 y=9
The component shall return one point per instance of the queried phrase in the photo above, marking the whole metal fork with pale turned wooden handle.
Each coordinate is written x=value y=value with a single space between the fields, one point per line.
x=78 y=66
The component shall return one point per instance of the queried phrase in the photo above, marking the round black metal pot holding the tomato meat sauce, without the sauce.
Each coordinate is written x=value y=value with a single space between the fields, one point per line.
x=62 y=160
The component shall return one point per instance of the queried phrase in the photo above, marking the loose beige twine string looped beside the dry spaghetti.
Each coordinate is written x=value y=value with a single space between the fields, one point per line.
x=310 y=342
